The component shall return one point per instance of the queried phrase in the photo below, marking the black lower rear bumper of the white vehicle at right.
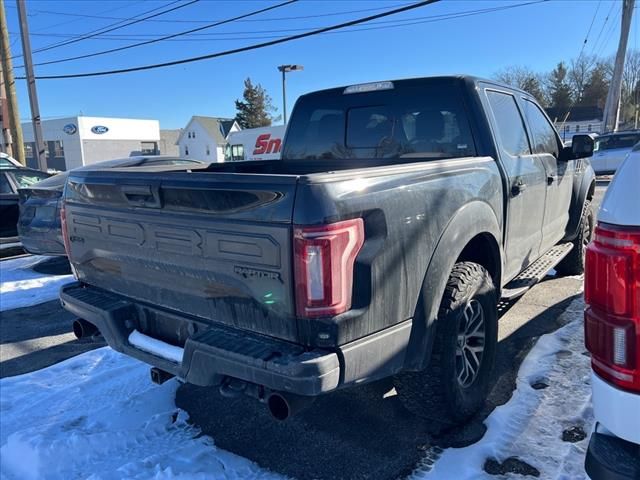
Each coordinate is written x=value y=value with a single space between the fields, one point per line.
x=611 y=458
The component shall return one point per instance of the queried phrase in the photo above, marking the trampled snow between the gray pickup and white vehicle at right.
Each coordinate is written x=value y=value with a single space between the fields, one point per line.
x=530 y=426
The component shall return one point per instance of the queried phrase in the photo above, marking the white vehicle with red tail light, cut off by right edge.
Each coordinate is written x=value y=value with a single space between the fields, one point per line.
x=612 y=328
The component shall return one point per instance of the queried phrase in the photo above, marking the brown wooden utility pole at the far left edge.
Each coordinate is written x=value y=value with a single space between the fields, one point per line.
x=15 y=129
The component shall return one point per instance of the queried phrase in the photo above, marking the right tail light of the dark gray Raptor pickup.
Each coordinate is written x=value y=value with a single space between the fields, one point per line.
x=324 y=259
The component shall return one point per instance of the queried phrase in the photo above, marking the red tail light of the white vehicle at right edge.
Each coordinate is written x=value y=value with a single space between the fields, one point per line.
x=612 y=294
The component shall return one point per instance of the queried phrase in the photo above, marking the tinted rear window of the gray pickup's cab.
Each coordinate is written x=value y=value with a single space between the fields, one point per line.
x=421 y=121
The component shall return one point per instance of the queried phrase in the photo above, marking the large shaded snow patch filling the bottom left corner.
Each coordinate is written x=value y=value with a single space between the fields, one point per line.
x=98 y=416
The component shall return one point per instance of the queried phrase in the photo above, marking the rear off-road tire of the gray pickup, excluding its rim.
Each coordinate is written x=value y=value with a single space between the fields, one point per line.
x=435 y=393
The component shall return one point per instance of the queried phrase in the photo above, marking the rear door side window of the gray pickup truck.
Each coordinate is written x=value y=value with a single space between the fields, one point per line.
x=511 y=131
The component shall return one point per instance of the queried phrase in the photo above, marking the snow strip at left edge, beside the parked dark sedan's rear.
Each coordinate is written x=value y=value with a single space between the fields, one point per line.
x=20 y=286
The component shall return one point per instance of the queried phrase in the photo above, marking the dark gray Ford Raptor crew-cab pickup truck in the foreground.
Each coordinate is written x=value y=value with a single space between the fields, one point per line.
x=379 y=246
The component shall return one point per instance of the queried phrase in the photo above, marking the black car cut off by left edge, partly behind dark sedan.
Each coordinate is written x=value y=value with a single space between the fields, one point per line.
x=11 y=179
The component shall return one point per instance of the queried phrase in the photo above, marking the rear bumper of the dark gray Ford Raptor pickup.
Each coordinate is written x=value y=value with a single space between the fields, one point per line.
x=213 y=352
